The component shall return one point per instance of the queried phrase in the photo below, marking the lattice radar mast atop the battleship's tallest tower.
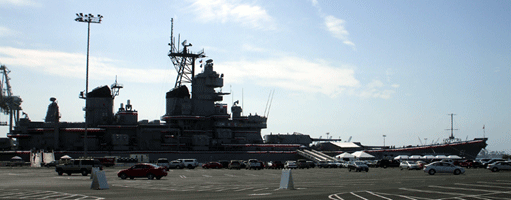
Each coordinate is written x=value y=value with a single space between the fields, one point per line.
x=184 y=61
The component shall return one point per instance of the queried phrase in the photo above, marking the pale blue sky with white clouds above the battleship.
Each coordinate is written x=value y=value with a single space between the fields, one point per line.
x=353 y=69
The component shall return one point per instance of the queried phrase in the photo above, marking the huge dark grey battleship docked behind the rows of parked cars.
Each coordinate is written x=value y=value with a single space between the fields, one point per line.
x=196 y=124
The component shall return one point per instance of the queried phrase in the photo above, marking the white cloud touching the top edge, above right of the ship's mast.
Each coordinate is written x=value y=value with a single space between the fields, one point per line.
x=251 y=16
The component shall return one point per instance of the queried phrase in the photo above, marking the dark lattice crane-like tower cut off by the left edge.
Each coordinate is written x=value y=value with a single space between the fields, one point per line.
x=9 y=104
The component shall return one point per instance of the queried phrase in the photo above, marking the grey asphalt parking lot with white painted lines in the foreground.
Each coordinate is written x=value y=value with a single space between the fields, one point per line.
x=378 y=183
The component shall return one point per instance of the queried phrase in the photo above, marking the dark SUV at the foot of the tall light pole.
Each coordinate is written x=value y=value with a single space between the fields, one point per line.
x=83 y=166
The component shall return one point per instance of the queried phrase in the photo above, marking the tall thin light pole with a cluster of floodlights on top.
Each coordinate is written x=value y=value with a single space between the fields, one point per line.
x=87 y=19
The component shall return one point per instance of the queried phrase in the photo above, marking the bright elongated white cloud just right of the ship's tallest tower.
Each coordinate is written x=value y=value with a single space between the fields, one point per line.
x=292 y=73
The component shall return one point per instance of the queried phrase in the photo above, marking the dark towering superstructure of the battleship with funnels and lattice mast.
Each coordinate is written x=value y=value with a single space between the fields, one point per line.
x=195 y=120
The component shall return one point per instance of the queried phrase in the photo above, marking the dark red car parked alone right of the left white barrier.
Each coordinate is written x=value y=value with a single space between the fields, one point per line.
x=143 y=170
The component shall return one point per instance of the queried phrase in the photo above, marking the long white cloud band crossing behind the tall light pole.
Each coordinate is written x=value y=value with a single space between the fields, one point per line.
x=73 y=65
